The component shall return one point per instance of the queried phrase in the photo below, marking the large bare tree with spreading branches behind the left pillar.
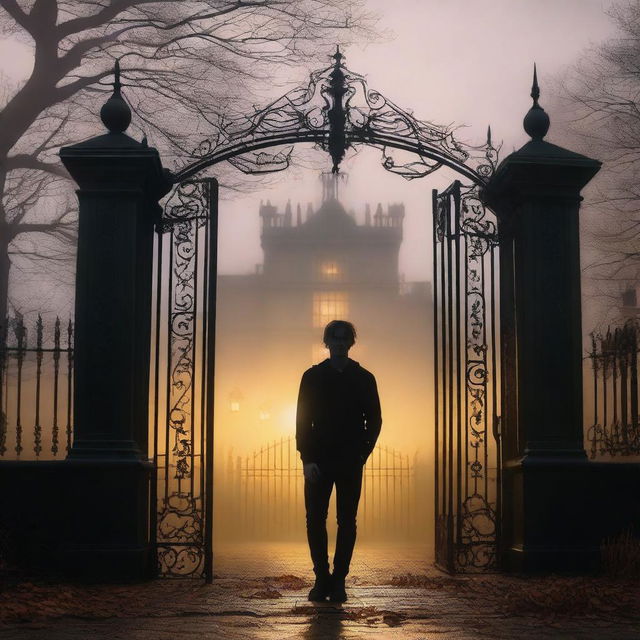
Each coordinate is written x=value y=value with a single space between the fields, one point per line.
x=186 y=64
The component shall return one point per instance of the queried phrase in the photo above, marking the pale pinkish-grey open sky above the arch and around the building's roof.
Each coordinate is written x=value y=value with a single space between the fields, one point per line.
x=460 y=61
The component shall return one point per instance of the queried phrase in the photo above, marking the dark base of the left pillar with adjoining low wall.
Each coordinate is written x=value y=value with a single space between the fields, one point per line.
x=73 y=519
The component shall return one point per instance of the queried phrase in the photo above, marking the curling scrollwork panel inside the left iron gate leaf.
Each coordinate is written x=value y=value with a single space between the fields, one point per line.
x=180 y=514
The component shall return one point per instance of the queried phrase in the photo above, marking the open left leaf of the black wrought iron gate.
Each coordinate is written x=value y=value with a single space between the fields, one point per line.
x=182 y=402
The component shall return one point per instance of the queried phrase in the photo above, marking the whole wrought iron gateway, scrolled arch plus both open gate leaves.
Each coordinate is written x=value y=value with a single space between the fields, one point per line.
x=324 y=112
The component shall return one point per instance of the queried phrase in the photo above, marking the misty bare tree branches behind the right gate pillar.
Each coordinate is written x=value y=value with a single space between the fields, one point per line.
x=600 y=105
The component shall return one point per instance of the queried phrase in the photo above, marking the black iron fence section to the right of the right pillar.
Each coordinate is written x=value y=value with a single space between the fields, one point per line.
x=614 y=363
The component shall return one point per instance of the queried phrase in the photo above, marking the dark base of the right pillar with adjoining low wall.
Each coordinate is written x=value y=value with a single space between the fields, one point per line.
x=557 y=512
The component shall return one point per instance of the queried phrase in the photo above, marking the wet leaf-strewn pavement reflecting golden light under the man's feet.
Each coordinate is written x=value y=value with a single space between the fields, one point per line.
x=260 y=592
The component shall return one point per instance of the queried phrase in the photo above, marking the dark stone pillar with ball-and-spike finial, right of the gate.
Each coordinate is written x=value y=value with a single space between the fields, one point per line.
x=535 y=193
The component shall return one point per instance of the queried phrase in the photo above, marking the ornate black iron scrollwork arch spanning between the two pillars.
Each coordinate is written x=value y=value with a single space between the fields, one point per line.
x=336 y=110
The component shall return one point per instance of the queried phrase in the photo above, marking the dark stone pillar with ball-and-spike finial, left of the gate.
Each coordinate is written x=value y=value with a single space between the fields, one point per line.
x=107 y=472
